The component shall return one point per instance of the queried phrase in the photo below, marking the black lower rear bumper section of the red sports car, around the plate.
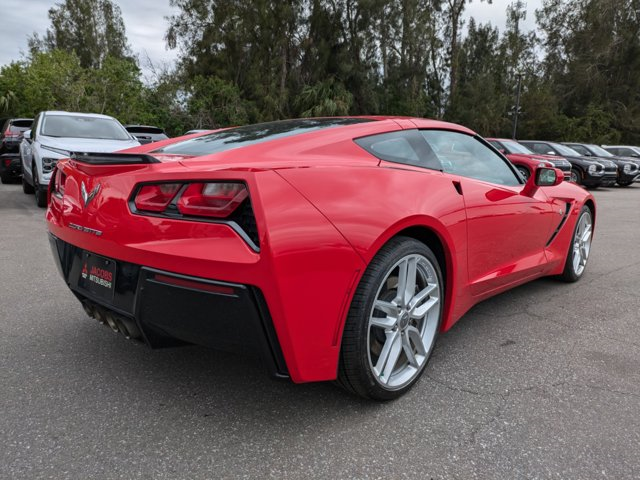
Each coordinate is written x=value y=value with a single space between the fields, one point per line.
x=168 y=309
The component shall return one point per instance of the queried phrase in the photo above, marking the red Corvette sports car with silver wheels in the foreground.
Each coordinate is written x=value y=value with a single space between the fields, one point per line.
x=336 y=248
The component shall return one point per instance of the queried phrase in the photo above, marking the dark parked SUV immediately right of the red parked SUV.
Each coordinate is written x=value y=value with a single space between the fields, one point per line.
x=583 y=170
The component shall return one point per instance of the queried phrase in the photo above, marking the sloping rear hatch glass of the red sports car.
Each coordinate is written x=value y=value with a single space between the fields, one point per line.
x=252 y=134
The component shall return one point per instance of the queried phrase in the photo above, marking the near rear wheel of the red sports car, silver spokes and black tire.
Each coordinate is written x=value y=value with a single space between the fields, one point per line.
x=393 y=321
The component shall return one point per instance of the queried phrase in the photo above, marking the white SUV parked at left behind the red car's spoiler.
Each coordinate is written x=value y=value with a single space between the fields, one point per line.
x=56 y=134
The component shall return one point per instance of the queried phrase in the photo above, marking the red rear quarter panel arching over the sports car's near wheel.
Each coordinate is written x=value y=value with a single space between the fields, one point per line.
x=371 y=205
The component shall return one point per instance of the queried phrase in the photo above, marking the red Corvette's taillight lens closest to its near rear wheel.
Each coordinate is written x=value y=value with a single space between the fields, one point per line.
x=212 y=199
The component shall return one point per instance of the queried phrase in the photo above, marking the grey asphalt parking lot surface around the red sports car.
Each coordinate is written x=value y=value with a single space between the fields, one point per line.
x=540 y=382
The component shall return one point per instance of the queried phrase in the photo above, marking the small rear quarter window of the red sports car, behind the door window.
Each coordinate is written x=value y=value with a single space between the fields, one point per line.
x=404 y=146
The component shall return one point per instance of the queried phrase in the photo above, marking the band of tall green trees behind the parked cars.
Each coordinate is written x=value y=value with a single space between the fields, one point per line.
x=263 y=60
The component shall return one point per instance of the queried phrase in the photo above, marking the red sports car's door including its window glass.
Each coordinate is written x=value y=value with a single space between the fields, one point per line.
x=506 y=230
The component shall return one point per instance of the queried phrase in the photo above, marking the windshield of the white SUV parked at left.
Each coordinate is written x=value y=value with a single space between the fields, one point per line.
x=83 y=127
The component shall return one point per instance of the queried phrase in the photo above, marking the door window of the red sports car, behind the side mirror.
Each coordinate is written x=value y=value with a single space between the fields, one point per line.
x=464 y=155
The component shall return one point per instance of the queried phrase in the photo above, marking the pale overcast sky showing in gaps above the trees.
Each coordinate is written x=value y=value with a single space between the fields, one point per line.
x=146 y=25
